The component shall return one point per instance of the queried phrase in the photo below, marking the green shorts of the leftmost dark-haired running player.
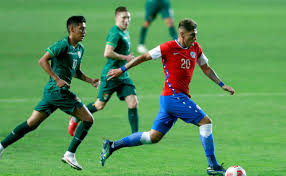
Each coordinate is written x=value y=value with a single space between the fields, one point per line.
x=66 y=100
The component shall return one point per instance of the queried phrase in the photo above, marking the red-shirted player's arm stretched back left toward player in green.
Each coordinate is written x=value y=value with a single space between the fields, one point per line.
x=113 y=73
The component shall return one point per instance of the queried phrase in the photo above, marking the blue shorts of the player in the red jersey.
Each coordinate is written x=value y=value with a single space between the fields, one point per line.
x=176 y=106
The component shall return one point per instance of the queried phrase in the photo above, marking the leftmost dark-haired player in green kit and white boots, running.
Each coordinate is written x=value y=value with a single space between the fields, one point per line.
x=65 y=56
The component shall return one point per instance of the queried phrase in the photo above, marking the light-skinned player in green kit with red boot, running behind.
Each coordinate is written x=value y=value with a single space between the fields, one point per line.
x=117 y=52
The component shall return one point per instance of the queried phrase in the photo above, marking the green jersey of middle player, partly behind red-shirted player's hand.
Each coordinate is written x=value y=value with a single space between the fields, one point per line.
x=120 y=40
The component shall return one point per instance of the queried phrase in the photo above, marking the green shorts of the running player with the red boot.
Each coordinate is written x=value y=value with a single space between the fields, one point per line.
x=123 y=88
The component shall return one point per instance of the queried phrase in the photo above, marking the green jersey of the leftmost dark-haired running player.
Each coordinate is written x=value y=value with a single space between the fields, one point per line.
x=65 y=60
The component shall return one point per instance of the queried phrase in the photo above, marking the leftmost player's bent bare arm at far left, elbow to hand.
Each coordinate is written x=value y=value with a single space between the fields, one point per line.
x=44 y=62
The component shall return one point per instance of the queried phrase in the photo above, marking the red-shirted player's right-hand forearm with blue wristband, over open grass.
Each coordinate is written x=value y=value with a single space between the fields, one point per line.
x=209 y=72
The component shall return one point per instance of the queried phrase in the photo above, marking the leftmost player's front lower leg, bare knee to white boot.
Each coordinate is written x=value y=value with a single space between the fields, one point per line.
x=87 y=120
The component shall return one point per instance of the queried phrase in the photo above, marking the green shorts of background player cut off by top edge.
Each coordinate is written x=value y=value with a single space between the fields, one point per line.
x=152 y=9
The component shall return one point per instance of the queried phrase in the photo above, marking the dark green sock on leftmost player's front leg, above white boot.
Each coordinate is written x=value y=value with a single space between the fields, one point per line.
x=80 y=134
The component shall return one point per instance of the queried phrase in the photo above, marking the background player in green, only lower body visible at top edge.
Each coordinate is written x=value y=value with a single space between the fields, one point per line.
x=152 y=8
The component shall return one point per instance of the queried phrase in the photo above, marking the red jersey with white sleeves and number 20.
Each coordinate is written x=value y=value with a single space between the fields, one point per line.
x=178 y=64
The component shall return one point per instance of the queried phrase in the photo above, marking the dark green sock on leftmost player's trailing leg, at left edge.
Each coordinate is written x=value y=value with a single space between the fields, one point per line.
x=16 y=134
